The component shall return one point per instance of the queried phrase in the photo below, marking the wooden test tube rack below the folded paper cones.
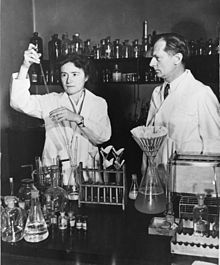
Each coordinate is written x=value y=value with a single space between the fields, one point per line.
x=110 y=192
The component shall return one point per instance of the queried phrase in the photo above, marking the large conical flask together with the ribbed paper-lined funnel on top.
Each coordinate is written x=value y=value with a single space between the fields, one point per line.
x=151 y=197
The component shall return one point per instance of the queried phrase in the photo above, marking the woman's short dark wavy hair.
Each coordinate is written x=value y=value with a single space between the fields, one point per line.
x=82 y=62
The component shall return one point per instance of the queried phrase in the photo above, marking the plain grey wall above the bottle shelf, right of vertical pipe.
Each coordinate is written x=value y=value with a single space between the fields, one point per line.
x=96 y=19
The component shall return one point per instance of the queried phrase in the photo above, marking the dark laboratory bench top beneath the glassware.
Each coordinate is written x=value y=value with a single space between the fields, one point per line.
x=114 y=237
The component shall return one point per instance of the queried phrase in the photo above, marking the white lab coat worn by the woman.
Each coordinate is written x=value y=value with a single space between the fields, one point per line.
x=94 y=111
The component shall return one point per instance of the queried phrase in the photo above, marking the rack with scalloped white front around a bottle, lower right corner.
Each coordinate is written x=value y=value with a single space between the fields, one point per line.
x=184 y=242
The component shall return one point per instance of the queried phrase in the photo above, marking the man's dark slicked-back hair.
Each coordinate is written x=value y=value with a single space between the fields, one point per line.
x=175 y=43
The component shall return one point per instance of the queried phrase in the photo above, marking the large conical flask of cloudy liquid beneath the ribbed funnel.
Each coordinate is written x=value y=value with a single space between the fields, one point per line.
x=151 y=197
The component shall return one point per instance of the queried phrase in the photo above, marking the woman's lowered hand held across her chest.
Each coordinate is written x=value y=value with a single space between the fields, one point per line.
x=64 y=114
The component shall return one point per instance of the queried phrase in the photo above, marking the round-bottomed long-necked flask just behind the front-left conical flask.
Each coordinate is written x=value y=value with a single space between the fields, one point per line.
x=56 y=194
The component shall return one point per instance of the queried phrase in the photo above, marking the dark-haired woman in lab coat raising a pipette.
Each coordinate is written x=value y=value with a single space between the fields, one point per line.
x=76 y=120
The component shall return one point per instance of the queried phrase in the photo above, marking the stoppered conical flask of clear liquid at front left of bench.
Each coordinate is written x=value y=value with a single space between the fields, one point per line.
x=36 y=227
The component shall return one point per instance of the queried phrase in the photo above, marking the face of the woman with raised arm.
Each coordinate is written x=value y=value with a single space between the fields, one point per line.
x=72 y=78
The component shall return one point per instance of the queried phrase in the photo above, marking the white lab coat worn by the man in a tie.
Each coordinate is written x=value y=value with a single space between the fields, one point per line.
x=191 y=113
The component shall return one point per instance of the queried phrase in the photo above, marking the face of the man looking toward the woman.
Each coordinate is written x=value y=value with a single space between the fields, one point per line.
x=163 y=63
